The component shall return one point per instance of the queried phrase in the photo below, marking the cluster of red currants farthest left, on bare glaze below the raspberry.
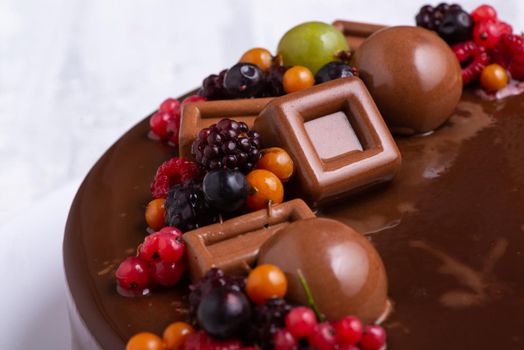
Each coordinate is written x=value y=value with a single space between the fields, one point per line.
x=159 y=261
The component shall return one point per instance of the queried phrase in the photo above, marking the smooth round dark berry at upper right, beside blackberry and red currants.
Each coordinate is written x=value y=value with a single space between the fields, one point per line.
x=456 y=26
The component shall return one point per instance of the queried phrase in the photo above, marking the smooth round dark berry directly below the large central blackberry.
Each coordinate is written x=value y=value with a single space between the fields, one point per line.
x=225 y=189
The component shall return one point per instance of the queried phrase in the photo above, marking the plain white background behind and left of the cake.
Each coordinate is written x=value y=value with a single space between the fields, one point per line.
x=76 y=74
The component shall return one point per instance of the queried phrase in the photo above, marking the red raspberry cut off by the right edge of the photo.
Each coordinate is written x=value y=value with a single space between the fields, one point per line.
x=509 y=53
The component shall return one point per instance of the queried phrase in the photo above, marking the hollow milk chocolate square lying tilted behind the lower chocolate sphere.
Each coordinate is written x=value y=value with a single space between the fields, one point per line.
x=234 y=244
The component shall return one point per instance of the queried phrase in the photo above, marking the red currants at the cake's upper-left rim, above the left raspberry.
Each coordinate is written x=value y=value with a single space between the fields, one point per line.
x=165 y=122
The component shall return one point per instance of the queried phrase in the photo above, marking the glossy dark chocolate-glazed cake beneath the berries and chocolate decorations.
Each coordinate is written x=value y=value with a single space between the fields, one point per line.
x=449 y=229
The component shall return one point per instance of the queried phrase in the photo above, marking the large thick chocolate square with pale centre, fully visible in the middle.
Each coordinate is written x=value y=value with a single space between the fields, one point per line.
x=336 y=137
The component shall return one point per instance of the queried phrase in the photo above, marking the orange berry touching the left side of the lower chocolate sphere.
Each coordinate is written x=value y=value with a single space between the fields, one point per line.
x=265 y=282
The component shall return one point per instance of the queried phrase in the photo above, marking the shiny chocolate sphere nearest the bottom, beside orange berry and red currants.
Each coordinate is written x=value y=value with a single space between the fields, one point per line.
x=343 y=270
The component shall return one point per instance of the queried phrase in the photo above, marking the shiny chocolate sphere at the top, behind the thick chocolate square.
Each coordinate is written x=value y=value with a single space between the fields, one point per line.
x=413 y=77
